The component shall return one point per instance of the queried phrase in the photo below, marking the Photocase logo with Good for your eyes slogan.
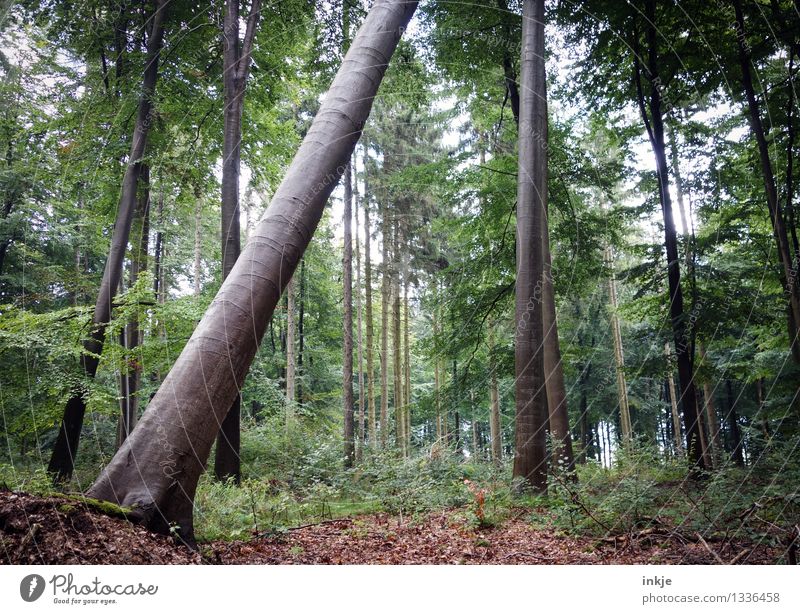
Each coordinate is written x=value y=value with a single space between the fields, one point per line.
x=65 y=590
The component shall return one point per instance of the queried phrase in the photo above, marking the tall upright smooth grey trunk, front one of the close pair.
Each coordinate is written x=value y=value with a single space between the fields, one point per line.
x=530 y=461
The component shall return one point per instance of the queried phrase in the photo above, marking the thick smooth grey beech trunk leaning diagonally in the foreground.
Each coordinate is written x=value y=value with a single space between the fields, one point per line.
x=157 y=469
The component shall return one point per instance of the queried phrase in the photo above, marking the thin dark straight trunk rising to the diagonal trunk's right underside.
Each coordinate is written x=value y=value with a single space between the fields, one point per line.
x=347 y=359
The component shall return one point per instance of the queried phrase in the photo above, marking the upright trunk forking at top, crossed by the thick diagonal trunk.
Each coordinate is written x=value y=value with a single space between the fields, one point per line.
x=236 y=67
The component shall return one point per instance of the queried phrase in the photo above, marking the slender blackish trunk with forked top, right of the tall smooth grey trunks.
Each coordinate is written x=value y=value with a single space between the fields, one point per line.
x=681 y=334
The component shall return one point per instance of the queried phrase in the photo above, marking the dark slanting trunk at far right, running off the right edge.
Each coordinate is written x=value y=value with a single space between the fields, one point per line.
x=788 y=276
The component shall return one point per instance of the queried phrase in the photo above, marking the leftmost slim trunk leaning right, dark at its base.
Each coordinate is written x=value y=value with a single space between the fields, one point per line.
x=62 y=461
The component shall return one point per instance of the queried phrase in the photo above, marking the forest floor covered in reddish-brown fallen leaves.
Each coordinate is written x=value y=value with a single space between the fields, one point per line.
x=71 y=530
